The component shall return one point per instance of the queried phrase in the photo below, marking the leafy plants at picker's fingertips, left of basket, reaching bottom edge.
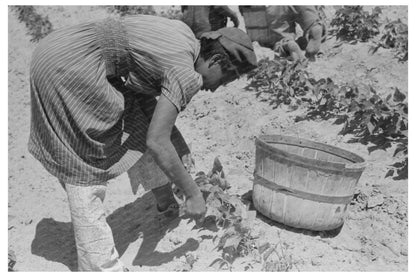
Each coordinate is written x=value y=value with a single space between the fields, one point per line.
x=232 y=216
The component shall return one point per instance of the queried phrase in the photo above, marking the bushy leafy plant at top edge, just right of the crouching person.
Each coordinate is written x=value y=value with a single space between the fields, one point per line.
x=353 y=24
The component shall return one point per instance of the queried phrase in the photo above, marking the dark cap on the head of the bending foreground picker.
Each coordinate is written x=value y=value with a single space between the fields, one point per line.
x=238 y=45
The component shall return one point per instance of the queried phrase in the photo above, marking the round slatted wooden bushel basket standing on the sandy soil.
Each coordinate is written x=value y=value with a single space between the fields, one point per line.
x=304 y=184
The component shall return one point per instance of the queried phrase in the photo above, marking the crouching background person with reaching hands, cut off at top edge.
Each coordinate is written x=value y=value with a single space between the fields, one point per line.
x=281 y=25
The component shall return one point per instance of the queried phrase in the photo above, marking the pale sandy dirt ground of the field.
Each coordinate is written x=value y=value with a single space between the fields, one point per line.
x=225 y=124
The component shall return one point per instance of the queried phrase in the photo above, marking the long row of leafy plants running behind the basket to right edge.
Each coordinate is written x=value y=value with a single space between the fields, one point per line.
x=380 y=123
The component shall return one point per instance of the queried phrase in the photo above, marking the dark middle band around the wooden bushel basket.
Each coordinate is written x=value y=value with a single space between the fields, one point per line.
x=301 y=194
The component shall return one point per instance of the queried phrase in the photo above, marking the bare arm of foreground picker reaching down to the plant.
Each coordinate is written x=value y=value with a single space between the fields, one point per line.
x=159 y=143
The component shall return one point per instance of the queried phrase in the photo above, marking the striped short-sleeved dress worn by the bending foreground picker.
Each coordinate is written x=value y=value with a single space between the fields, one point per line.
x=83 y=130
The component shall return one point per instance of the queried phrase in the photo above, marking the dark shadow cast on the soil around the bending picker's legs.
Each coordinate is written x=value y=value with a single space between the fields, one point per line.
x=55 y=240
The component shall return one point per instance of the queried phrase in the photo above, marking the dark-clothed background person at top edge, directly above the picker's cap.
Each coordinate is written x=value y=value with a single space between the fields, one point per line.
x=208 y=18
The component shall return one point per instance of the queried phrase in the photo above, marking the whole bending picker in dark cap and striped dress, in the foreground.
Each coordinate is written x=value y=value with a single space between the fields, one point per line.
x=105 y=96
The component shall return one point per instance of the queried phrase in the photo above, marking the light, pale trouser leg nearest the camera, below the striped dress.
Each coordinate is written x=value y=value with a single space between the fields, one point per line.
x=93 y=236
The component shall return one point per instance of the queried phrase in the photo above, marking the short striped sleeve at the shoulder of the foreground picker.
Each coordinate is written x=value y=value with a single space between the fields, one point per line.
x=179 y=85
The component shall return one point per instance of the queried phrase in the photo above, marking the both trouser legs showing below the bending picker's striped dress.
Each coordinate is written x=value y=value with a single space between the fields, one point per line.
x=93 y=236
